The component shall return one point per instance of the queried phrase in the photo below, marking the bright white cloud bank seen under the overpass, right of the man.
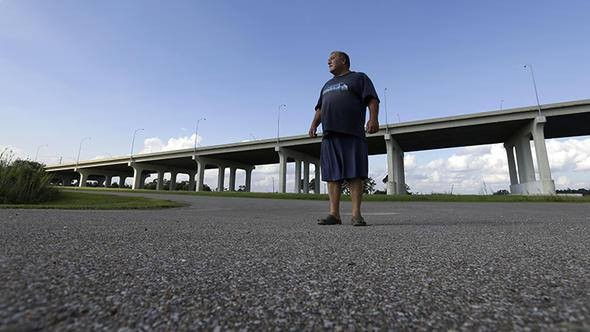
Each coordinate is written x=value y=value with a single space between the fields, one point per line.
x=484 y=168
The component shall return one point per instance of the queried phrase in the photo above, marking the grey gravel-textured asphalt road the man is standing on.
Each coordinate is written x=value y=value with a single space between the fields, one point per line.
x=259 y=264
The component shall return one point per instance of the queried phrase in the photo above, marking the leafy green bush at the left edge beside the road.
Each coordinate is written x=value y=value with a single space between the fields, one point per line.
x=24 y=182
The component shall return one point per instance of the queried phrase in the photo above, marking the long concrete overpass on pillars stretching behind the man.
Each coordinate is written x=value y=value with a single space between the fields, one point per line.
x=516 y=128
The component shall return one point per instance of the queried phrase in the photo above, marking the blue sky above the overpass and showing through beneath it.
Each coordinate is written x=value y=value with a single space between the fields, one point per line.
x=71 y=69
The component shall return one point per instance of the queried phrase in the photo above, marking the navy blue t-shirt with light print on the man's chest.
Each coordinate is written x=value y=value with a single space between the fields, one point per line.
x=343 y=102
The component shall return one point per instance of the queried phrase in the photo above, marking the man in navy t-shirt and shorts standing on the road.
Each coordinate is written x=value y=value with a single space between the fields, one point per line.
x=341 y=109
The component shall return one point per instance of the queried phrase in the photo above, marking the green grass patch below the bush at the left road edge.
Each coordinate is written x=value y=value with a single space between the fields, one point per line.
x=96 y=201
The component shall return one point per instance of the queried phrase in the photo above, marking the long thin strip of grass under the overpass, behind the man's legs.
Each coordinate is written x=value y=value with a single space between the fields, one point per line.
x=367 y=198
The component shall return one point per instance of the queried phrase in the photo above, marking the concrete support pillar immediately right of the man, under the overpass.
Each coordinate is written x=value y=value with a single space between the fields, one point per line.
x=396 y=182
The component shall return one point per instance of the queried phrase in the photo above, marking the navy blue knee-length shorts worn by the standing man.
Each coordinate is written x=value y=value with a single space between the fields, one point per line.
x=344 y=157
